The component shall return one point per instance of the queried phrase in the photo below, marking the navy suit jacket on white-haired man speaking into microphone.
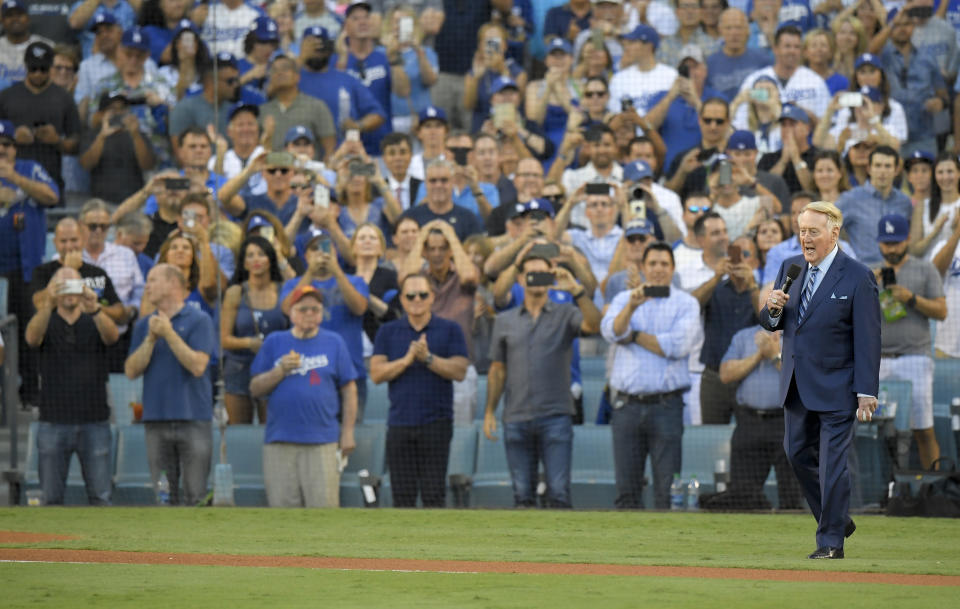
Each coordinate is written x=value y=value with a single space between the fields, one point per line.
x=834 y=353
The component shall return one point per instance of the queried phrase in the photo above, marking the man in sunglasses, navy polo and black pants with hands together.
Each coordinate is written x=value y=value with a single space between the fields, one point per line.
x=420 y=356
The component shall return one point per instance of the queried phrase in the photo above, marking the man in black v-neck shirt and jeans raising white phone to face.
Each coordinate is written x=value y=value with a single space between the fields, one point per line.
x=71 y=332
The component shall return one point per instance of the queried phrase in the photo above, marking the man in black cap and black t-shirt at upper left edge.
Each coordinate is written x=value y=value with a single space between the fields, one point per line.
x=44 y=115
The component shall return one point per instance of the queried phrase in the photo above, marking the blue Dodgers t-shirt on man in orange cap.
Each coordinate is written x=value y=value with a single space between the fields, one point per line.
x=303 y=407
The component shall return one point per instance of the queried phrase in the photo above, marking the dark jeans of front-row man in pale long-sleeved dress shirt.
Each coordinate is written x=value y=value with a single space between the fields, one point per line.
x=641 y=429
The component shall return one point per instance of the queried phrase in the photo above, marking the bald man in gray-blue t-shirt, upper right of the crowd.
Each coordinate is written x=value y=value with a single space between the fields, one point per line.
x=730 y=66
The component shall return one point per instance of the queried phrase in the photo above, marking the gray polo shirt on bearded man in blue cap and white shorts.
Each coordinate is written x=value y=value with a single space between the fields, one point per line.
x=910 y=335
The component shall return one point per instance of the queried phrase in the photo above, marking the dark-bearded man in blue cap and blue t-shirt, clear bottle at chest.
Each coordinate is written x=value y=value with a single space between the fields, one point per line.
x=351 y=104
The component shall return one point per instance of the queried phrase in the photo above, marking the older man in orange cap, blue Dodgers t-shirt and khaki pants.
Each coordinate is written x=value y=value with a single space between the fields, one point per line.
x=309 y=378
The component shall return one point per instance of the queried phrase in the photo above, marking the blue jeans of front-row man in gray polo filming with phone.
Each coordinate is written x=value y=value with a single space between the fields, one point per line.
x=547 y=439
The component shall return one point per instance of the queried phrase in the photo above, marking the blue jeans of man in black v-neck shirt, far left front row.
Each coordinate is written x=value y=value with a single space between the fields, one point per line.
x=56 y=443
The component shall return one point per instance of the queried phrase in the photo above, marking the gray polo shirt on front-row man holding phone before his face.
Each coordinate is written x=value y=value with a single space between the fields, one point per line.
x=536 y=355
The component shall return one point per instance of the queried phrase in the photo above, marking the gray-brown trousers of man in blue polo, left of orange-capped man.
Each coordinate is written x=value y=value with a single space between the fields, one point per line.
x=180 y=448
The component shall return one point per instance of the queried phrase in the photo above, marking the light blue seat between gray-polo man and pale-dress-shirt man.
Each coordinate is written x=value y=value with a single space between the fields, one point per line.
x=592 y=482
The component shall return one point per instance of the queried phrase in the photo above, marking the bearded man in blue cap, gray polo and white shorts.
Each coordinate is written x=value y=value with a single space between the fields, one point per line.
x=913 y=297
